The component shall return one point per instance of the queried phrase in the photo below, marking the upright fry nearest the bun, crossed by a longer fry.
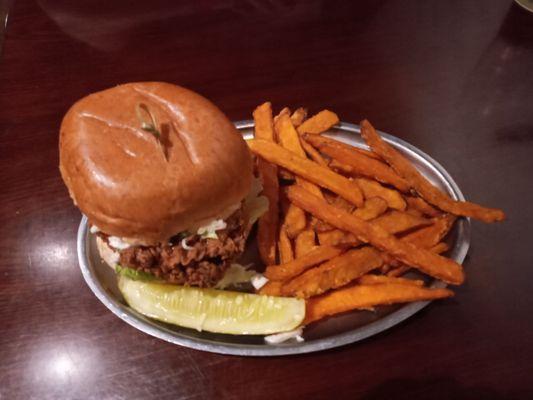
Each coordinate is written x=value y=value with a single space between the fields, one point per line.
x=268 y=223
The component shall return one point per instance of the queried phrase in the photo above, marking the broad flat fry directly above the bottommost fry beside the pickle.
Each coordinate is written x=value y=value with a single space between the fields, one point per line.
x=334 y=273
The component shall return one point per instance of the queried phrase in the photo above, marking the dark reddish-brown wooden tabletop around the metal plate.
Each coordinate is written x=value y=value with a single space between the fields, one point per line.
x=454 y=78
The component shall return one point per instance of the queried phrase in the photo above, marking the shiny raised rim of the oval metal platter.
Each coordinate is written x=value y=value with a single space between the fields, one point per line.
x=152 y=328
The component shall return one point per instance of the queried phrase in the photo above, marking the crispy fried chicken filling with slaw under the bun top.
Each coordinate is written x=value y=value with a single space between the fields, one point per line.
x=198 y=258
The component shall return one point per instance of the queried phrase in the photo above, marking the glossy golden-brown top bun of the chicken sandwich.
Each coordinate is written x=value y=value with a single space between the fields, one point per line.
x=133 y=185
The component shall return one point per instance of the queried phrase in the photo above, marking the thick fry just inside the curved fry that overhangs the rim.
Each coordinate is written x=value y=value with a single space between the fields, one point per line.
x=356 y=163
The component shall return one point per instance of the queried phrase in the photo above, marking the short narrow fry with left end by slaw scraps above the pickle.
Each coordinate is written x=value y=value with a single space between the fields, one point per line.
x=298 y=265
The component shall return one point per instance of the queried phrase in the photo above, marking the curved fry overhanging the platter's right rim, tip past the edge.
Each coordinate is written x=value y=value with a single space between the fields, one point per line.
x=423 y=187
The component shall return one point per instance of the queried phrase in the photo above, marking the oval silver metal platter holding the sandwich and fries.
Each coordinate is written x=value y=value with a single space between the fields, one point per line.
x=332 y=332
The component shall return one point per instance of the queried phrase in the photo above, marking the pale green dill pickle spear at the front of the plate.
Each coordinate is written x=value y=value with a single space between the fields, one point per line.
x=213 y=310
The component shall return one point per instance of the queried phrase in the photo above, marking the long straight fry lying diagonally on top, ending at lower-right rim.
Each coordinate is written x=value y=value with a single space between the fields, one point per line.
x=424 y=260
